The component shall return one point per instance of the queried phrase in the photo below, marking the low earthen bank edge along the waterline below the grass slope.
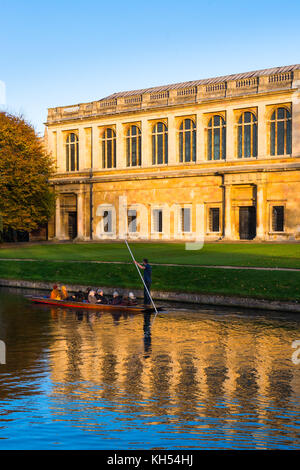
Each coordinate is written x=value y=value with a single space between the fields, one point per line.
x=192 y=298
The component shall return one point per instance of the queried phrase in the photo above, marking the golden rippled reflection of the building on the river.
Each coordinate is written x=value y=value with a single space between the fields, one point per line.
x=193 y=369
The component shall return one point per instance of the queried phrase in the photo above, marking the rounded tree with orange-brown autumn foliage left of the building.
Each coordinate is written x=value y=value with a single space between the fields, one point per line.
x=26 y=198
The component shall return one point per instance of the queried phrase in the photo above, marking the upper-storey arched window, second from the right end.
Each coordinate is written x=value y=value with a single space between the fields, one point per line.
x=247 y=135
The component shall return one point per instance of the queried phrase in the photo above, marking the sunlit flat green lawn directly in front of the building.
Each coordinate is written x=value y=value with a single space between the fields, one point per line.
x=262 y=255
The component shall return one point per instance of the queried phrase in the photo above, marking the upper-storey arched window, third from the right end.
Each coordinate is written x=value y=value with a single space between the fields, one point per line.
x=216 y=138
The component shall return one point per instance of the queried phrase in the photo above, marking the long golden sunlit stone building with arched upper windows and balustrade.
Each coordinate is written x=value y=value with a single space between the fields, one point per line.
x=209 y=159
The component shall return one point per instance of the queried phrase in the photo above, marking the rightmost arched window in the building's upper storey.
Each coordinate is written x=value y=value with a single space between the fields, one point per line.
x=281 y=132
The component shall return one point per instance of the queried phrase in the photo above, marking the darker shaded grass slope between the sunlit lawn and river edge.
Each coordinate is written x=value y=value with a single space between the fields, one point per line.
x=270 y=285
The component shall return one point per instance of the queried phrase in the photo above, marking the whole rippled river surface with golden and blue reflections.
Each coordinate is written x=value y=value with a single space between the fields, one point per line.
x=196 y=379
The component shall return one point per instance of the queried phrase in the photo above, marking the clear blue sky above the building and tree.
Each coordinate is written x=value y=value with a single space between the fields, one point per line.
x=66 y=52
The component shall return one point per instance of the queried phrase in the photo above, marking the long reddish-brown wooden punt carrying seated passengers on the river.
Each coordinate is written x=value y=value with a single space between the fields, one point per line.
x=88 y=306
